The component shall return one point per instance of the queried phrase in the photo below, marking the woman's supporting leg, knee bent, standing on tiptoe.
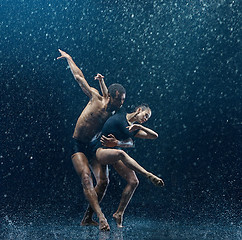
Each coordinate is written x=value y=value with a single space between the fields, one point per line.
x=132 y=183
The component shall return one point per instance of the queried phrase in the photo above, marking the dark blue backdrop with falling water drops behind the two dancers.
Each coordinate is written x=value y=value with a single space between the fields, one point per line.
x=183 y=58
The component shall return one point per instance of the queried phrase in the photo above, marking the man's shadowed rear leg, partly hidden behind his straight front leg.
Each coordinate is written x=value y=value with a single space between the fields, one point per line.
x=101 y=175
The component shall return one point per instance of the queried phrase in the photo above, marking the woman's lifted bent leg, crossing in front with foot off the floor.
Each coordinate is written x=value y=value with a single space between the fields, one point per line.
x=111 y=156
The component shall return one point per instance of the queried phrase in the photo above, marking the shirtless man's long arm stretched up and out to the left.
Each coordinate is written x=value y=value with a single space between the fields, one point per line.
x=77 y=73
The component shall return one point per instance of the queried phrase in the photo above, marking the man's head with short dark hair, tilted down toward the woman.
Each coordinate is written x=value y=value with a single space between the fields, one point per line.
x=117 y=95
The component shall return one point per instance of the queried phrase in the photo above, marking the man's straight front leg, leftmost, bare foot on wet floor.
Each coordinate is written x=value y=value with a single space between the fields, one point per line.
x=81 y=166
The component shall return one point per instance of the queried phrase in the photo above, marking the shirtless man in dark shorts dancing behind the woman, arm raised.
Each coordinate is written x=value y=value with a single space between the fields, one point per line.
x=89 y=123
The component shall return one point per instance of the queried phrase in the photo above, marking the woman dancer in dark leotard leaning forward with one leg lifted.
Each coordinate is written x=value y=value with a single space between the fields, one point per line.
x=122 y=125
